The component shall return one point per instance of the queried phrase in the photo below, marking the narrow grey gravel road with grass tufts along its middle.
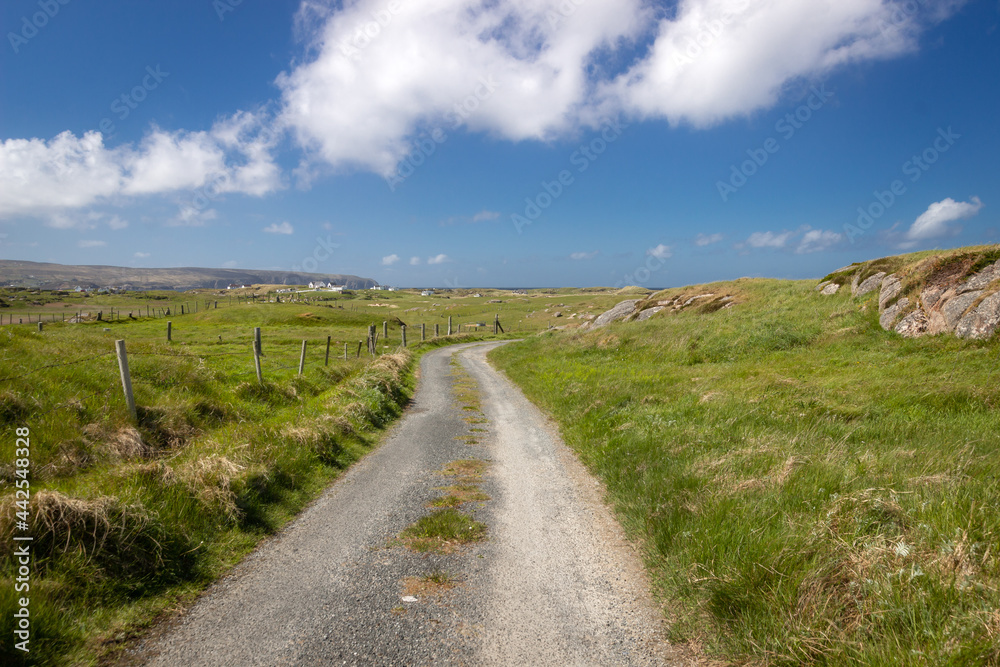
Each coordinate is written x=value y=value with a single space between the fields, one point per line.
x=553 y=583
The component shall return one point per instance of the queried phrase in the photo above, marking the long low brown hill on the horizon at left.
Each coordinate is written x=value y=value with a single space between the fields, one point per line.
x=60 y=276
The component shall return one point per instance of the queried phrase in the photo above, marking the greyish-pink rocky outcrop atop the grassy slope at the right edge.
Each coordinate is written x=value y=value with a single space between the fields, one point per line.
x=949 y=302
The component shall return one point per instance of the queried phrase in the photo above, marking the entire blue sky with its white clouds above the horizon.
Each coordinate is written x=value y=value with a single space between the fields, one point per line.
x=526 y=143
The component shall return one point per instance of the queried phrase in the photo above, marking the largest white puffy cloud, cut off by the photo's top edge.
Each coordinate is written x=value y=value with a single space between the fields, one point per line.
x=368 y=89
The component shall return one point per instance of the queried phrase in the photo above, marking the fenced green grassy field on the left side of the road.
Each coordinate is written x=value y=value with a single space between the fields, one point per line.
x=132 y=520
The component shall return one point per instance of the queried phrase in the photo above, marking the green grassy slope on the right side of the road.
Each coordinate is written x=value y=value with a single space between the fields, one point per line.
x=808 y=488
